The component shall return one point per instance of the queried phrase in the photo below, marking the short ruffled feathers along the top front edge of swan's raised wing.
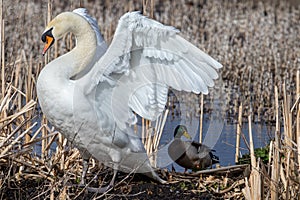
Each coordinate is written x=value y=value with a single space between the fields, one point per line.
x=134 y=31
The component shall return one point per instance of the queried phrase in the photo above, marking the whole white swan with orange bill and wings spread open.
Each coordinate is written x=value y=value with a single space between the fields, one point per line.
x=89 y=94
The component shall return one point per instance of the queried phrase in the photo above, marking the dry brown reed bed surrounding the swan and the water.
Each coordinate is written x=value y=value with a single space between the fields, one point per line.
x=256 y=41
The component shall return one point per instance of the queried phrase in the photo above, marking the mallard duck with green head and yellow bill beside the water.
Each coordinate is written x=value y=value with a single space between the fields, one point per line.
x=190 y=154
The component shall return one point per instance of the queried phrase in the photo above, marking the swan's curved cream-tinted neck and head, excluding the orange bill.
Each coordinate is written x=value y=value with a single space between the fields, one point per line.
x=79 y=60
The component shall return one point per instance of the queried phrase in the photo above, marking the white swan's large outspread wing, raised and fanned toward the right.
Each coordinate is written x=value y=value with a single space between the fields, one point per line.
x=144 y=59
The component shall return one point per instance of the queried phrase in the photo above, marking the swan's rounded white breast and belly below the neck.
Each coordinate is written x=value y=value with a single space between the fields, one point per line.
x=69 y=110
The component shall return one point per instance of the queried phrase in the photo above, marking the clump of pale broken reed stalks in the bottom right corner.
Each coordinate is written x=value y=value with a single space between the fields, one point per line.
x=284 y=171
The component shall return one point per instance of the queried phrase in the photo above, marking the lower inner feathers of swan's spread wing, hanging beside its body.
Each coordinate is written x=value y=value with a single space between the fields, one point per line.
x=147 y=100
